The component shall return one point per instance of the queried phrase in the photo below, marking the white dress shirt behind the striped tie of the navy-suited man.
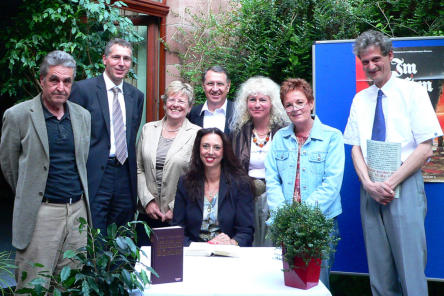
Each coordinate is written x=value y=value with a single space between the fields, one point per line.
x=109 y=86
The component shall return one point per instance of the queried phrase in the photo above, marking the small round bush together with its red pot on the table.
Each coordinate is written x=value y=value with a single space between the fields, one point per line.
x=305 y=236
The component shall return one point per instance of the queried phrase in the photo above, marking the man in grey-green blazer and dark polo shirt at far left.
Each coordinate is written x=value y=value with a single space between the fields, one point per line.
x=43 y=151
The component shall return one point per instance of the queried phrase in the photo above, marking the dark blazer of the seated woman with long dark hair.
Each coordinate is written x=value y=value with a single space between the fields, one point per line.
x=235 y=212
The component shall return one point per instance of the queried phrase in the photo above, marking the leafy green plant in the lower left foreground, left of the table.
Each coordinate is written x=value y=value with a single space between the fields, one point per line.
x=106 y=266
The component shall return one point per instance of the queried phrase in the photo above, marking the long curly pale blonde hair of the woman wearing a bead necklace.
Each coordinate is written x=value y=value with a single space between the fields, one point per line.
x=255 y=85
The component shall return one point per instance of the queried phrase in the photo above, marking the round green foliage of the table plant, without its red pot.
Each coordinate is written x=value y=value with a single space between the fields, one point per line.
x=303 y=231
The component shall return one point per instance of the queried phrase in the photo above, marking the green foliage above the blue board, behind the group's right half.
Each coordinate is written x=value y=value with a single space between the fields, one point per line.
x=274 y=37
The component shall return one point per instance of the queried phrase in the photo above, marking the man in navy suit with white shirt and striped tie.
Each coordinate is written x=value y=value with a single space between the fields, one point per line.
x=116 y=111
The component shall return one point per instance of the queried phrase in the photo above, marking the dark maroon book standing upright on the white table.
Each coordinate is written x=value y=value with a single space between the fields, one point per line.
x=167 y=254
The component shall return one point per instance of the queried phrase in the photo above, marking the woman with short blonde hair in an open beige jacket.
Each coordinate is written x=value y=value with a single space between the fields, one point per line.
x=163 y=155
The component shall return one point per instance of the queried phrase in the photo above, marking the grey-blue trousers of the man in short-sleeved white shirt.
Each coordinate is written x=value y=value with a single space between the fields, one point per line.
x=395 y=240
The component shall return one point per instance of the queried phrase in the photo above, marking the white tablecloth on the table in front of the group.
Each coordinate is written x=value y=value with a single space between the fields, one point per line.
x=256 y=271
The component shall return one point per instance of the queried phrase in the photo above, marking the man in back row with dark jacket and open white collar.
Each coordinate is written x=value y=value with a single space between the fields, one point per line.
x=217 y=110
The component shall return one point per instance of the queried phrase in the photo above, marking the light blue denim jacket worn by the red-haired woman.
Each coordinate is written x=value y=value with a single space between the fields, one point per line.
x=321 y=168
